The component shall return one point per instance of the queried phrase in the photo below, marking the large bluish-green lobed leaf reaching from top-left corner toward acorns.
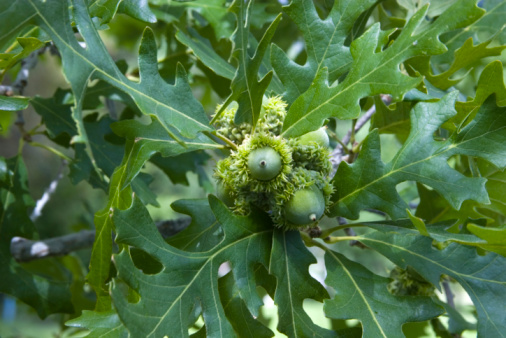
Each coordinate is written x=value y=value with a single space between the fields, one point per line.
x=173 y=105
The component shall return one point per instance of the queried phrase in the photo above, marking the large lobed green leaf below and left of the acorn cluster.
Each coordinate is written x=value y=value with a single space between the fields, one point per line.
x=167 y=298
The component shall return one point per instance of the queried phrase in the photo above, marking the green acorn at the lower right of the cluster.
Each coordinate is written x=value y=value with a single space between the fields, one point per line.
x=306 y=206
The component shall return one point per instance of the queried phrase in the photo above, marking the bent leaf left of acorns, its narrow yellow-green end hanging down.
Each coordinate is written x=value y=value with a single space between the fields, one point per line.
x=143 y=141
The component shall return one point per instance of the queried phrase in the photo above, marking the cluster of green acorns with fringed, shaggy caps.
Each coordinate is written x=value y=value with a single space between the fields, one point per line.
x=288 y=178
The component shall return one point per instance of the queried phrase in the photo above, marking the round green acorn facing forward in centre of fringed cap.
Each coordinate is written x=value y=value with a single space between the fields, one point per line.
x=264 y=163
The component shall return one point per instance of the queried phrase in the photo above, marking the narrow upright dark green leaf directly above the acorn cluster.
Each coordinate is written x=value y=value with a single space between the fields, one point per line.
x=246 y=89
